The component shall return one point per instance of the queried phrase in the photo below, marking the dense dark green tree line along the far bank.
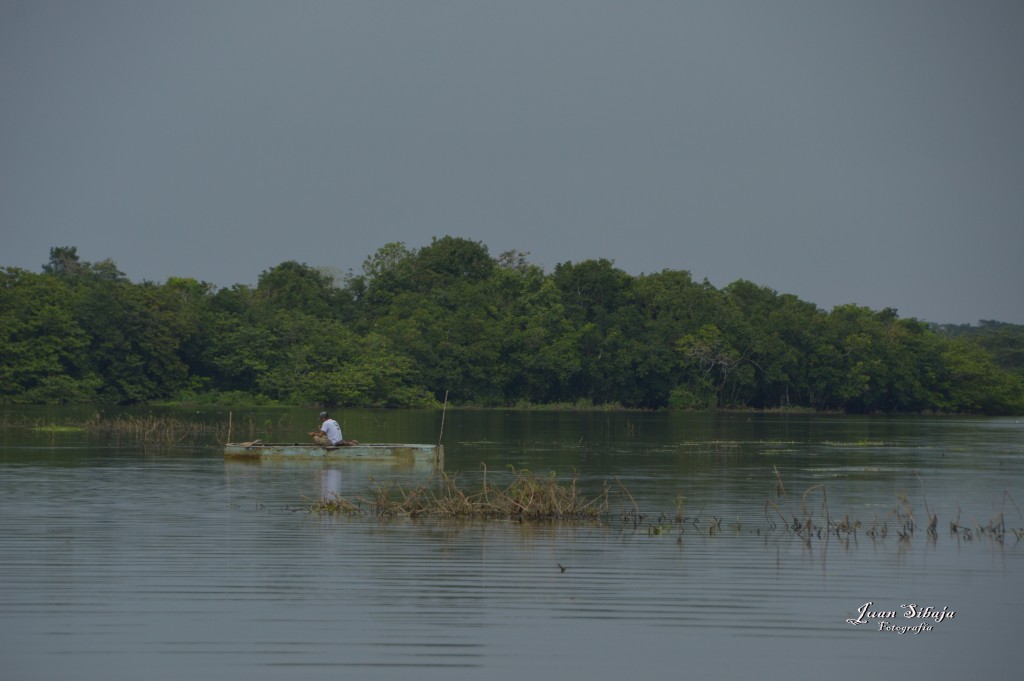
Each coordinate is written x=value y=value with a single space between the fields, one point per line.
x=448 y=319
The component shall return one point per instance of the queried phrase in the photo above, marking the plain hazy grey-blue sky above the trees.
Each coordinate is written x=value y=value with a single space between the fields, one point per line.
x=868 y=152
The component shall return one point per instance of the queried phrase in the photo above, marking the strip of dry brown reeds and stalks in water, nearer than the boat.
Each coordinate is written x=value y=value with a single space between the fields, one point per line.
x=535 y=499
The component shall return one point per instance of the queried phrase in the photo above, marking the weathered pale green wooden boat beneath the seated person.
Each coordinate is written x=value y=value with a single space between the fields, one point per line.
x=434 y=454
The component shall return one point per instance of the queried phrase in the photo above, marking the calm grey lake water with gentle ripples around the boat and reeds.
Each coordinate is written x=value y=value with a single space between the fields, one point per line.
x=126 y=561
